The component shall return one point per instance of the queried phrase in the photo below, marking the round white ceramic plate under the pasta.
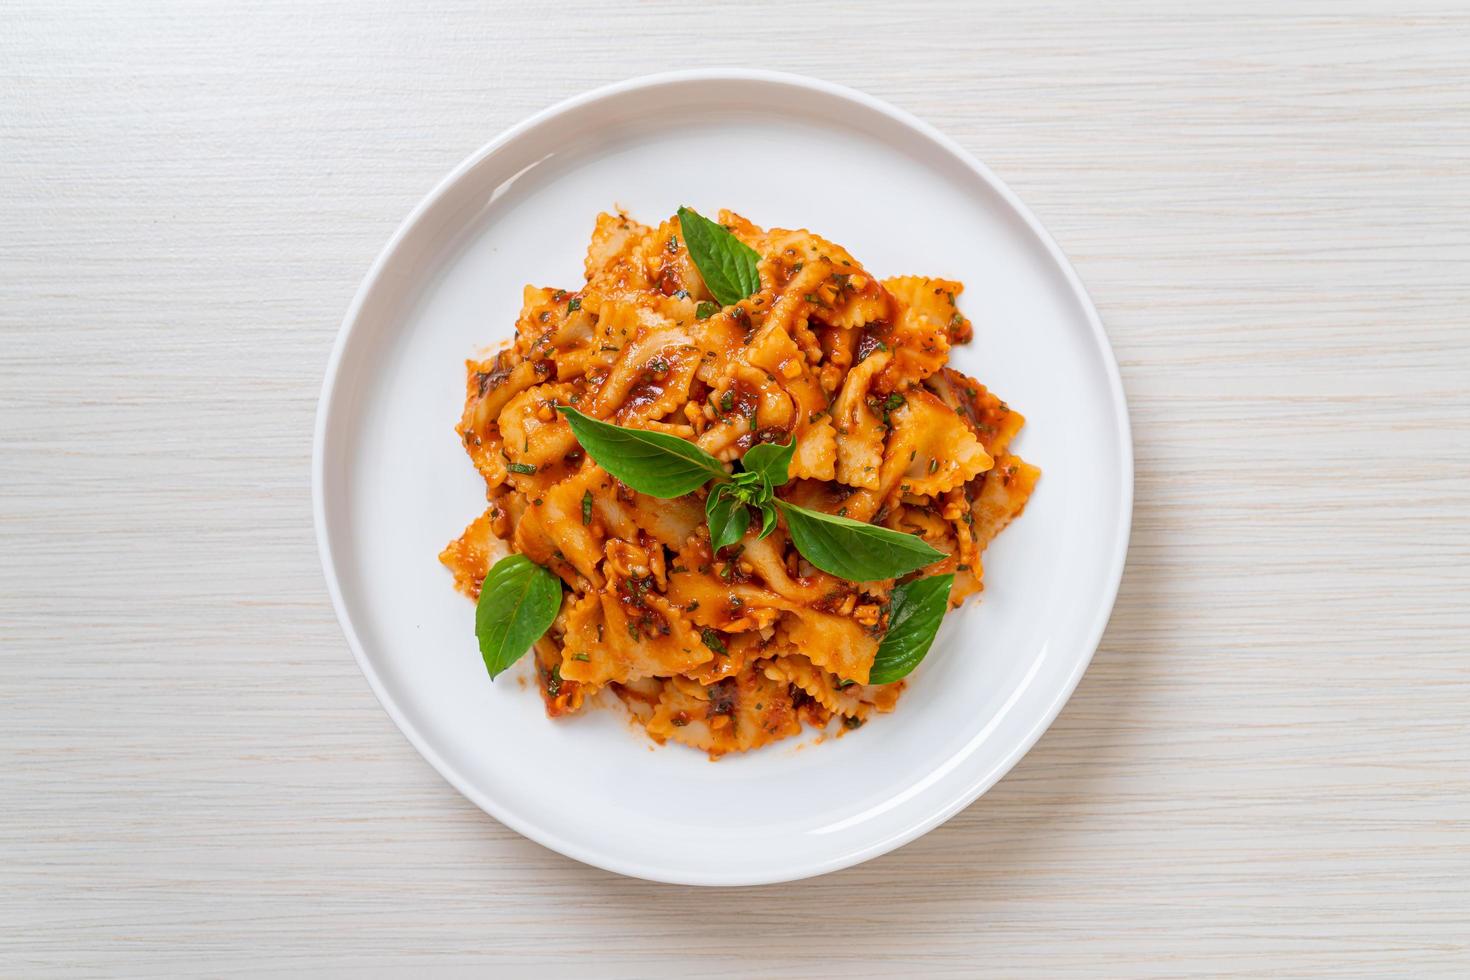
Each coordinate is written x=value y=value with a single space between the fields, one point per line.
x=393 y=486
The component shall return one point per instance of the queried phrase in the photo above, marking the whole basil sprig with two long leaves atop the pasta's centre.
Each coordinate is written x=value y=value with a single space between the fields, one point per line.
x=664 y=465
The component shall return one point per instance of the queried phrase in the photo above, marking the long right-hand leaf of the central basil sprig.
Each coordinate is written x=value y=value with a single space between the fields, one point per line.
x=853 y=550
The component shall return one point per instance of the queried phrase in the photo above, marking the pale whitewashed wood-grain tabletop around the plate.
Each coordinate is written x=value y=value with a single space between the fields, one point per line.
x=1266 y=769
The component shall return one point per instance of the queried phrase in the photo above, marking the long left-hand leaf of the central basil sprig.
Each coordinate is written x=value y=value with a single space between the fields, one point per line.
x=653 y=464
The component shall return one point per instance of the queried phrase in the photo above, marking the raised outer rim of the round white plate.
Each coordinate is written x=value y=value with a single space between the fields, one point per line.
x=971 y=791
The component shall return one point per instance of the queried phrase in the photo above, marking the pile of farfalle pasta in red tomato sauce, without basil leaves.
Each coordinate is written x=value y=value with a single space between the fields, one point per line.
x=728 y=652
